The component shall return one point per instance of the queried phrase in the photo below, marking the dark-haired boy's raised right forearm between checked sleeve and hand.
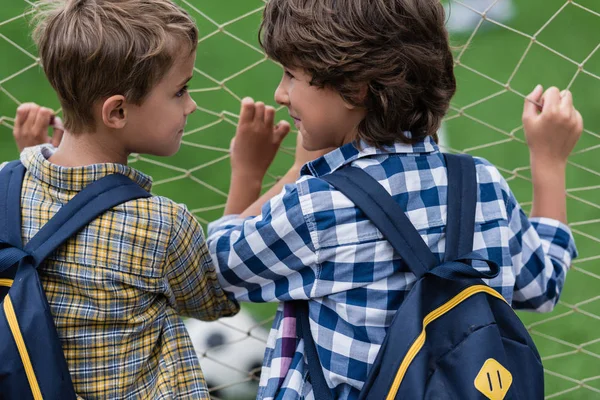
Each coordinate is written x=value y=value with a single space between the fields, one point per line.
x=549 y=190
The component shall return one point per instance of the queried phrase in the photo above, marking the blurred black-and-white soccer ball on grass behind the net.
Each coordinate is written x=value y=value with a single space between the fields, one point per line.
x=231 y=352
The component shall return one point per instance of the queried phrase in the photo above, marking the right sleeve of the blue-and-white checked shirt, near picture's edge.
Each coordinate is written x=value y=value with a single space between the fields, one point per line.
x=542 y=250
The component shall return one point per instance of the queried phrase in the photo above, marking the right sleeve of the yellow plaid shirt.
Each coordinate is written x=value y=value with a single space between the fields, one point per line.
x=192 y=285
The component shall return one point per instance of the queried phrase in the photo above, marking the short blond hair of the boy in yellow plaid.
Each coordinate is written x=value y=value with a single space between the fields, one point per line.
x=93 y=49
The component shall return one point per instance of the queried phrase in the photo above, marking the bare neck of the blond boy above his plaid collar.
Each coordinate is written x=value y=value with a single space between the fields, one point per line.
x=87 y=149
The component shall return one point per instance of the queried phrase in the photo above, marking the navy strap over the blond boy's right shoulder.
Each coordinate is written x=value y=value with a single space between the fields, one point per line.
x=92 y=201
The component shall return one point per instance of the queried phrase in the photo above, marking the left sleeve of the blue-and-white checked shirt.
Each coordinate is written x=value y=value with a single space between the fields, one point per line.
x=269 y=257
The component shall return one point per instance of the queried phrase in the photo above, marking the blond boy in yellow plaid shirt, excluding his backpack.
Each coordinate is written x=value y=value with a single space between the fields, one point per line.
x=120 y=69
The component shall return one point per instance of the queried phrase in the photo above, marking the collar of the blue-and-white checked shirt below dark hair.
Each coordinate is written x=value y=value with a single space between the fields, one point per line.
x=350 y=152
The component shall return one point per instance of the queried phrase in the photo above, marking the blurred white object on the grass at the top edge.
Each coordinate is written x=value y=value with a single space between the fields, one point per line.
x=461 y=19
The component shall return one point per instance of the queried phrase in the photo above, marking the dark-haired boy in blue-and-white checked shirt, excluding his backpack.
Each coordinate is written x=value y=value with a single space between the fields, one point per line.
x=367 y=84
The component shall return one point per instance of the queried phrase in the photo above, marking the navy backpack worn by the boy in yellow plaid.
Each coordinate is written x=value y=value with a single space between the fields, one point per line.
x=33 y=364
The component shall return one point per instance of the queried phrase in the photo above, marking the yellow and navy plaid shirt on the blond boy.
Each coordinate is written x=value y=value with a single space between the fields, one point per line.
x=117 y=288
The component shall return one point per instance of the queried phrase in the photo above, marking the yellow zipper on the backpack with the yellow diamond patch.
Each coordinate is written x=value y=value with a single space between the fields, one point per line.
x=432 y=316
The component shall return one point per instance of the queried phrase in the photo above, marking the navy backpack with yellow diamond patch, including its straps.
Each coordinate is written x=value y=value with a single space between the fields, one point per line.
x=453 y=337
